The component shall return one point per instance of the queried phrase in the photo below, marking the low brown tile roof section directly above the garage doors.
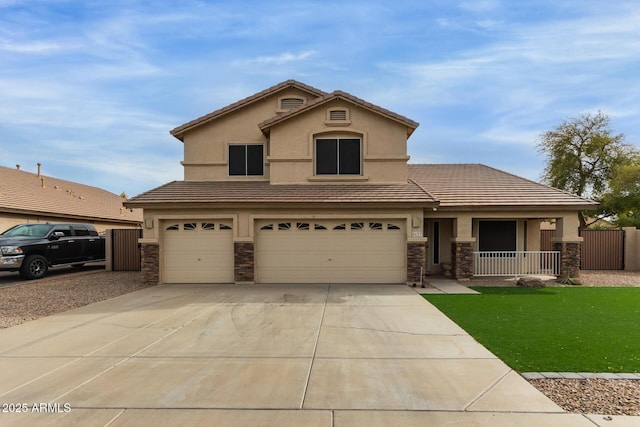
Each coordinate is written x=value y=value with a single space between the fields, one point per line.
x=263 y=192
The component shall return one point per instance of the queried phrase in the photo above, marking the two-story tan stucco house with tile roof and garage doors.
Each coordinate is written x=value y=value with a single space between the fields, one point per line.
x=296 y=185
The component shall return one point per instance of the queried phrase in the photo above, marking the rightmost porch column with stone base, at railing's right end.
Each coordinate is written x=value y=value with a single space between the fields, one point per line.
x=569 y=244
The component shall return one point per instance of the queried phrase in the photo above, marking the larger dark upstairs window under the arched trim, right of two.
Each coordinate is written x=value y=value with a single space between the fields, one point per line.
x=338 y=156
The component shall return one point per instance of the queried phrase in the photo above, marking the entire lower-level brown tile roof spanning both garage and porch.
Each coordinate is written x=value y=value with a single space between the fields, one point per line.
x=447 y=186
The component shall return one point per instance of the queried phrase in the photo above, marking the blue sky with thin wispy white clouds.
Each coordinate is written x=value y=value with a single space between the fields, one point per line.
x=91 y=88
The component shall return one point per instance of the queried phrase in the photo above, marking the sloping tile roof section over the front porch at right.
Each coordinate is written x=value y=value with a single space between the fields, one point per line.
x=477 y=186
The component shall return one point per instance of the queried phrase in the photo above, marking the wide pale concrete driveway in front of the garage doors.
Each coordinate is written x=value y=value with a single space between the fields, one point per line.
x=312 y=355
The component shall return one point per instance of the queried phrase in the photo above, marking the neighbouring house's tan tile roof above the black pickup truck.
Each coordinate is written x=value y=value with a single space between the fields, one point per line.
x=29 y=193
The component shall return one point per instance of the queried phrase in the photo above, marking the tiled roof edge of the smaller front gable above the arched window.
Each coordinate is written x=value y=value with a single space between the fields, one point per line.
x=338 y=94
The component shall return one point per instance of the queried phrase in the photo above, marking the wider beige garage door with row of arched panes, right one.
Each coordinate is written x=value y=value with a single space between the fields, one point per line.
x=316 y=251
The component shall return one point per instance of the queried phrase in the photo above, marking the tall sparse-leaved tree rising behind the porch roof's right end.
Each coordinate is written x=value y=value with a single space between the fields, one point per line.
x=583 y=155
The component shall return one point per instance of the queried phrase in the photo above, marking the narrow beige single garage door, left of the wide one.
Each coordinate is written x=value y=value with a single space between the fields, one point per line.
x=197 y=252
